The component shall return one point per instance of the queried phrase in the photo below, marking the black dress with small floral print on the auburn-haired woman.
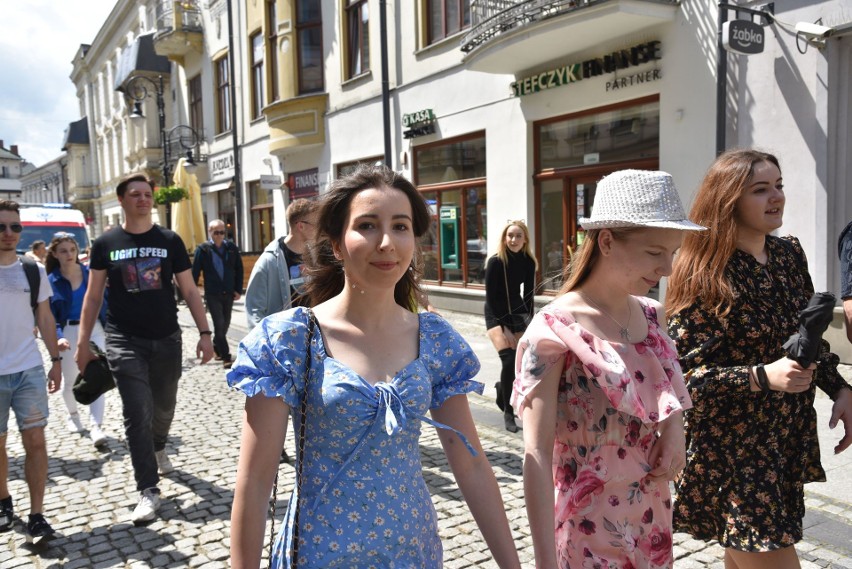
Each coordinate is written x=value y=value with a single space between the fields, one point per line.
x=749 y=453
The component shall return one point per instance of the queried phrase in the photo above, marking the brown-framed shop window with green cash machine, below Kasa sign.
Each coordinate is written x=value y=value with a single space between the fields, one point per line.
x=451 y=176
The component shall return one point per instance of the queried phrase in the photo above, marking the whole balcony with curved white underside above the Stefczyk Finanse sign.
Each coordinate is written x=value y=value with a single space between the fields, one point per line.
x=527 y=33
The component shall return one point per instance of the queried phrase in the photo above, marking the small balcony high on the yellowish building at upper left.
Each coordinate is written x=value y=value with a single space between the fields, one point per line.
x=179 y=28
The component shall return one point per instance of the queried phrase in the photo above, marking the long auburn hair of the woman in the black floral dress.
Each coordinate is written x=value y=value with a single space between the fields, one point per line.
x=699 y=271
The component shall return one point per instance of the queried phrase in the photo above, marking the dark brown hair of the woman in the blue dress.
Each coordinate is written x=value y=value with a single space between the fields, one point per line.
x=325 y=272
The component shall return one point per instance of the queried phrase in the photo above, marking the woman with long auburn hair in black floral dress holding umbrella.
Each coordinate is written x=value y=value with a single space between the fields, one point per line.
x=733 y=300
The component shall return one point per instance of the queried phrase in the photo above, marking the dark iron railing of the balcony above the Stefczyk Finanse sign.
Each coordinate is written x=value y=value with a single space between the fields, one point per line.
x=490 y=18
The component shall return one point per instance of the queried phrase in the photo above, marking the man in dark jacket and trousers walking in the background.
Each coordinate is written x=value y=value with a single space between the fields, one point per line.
x=219 y=261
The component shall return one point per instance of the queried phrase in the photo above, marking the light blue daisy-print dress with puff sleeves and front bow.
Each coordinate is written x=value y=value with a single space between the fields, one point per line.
x=364 y=502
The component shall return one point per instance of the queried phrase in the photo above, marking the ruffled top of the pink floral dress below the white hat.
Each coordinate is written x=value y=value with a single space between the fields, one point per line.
x=643 y=380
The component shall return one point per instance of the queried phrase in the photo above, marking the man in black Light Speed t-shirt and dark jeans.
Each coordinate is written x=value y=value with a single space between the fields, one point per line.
x=143 y=346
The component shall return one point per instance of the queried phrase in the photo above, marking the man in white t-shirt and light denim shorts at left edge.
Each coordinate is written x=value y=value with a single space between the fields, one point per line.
x=23 y=386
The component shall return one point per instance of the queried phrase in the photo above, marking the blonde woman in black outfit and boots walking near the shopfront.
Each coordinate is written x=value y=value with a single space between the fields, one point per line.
x=508 y=310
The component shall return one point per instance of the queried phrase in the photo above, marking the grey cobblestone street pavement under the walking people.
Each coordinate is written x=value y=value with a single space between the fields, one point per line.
x=91 y=493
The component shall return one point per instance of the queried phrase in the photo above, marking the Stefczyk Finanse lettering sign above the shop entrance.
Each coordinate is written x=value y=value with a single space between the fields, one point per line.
x=573 y=72
